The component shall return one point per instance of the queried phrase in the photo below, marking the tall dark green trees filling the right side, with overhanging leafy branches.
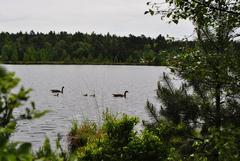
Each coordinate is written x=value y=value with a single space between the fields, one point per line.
x=208 y=103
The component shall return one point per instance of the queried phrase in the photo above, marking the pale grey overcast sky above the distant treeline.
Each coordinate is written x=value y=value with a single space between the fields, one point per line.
x=120 y=17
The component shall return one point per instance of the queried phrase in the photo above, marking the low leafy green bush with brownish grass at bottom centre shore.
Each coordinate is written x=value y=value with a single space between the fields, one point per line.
x=117 y=140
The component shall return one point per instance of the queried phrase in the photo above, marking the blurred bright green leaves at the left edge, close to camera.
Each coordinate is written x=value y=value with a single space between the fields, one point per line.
x=9 y=102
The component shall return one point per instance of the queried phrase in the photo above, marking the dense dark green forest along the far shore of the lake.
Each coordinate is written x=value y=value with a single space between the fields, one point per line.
x=83 y=48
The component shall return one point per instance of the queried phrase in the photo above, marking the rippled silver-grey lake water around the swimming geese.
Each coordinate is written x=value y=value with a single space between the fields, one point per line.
x=101 y=80
